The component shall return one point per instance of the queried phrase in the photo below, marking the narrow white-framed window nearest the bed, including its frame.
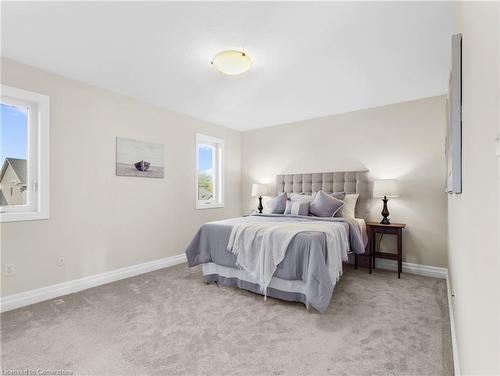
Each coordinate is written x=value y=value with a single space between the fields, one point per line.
x=209 y=172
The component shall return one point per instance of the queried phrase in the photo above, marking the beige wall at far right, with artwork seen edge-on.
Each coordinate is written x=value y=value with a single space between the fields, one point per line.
x=474 y=251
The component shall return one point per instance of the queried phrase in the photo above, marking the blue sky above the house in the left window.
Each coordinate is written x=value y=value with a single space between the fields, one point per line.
x=13 y=132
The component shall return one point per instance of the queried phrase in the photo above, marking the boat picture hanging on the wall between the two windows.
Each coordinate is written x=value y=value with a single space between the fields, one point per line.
x=139 y=158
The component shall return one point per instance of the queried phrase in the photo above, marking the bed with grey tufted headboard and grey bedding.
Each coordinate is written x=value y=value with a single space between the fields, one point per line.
x=305 y=273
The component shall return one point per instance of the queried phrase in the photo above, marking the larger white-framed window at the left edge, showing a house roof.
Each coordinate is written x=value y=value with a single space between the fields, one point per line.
x=24 y=155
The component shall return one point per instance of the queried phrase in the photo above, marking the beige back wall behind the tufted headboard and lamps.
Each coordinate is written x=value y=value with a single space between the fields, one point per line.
x=403 y=141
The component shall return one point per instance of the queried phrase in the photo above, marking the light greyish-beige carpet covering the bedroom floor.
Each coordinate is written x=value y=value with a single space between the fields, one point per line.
x=169 y=322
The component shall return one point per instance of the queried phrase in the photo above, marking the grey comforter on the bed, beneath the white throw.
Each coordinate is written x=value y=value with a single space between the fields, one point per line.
x=305 y=258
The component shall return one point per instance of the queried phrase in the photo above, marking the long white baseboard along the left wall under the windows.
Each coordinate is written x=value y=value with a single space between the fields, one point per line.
x=22 y=299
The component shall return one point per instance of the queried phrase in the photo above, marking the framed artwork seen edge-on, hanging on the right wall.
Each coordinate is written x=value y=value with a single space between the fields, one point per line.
x=454 y=119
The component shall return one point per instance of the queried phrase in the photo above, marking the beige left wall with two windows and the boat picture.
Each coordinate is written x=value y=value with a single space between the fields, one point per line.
x=99 y=221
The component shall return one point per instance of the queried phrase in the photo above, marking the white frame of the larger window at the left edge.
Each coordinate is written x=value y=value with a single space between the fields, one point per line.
x=37 y=180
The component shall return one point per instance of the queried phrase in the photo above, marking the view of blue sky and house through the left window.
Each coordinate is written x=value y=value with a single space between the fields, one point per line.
x=13 y=155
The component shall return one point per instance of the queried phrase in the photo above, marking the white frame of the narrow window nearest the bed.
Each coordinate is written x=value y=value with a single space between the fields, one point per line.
x=218 y=145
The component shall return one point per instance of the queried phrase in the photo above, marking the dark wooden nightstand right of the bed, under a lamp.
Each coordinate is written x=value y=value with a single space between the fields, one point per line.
x=375 y=228
